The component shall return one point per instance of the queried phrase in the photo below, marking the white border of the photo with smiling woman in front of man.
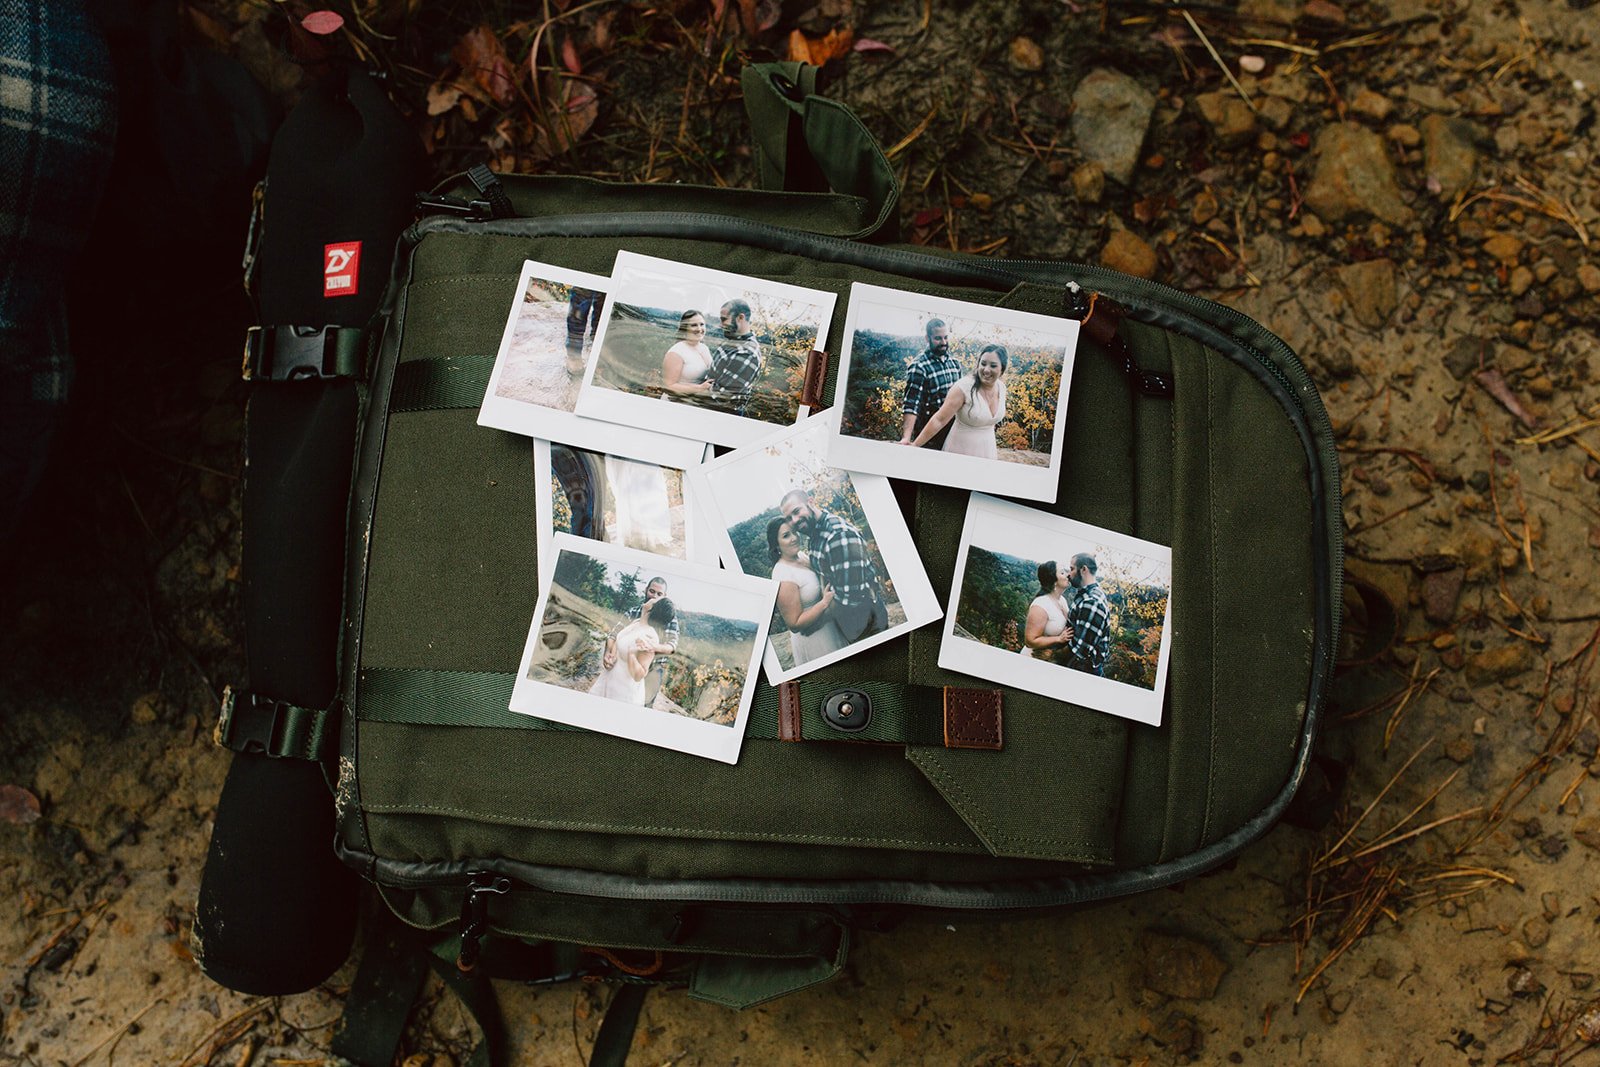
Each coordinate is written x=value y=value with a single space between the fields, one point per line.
x=919 y=465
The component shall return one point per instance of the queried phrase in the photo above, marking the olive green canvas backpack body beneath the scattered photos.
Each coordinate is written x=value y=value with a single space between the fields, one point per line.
x=1191 y=426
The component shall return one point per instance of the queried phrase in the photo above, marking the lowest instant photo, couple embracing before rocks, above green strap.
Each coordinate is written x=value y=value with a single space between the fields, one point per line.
x=646 y=647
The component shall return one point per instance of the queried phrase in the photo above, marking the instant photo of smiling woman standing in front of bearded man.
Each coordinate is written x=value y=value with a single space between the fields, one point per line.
x=959 y=394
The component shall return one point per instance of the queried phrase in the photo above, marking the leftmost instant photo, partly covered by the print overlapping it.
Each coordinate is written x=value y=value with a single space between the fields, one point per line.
x=540 y=370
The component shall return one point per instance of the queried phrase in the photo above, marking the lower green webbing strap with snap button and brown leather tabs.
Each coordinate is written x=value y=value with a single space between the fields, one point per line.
x=900 y=714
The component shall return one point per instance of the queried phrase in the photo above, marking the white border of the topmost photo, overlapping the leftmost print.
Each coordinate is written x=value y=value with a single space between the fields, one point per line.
x=684 y=420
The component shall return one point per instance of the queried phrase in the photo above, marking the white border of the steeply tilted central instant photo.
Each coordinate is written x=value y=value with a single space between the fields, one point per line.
x=889 y=526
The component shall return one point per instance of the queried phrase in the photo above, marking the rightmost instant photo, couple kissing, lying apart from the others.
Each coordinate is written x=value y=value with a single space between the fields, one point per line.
x=1062 y=609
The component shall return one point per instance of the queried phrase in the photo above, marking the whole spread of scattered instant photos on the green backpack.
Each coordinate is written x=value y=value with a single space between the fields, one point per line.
x=628 y=382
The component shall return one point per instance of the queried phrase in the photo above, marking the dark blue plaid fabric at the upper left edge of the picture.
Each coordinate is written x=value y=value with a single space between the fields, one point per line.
x=58 y=124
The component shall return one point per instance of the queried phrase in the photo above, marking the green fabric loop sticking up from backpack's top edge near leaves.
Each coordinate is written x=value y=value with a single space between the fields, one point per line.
x=809 y=143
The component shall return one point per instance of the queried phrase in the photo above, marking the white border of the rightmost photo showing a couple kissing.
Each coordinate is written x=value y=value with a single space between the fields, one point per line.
x=1036 y=676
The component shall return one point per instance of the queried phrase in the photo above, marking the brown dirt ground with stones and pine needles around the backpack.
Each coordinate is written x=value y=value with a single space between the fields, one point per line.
x=1409 y=199
